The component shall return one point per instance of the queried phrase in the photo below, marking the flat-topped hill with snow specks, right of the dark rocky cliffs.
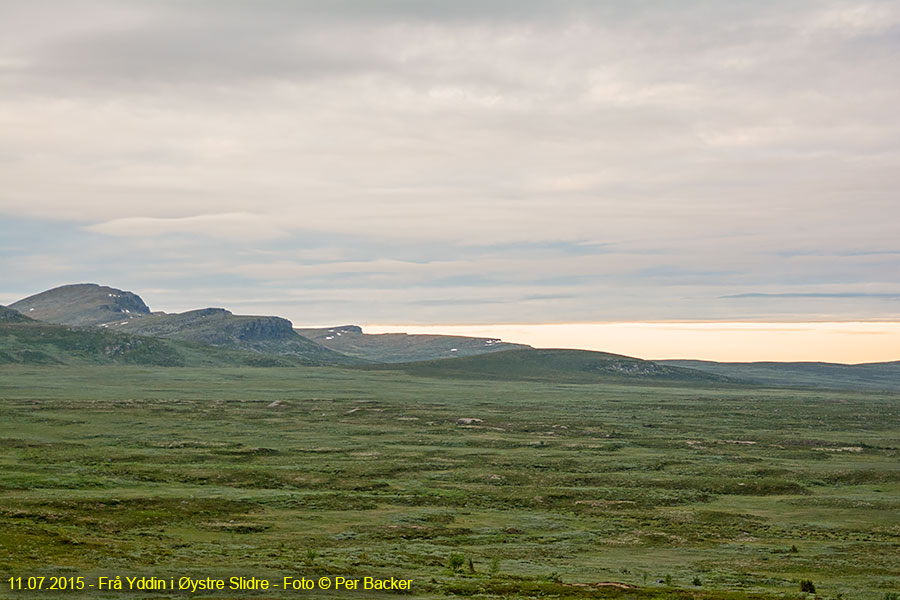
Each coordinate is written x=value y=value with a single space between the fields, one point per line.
x=402 y=347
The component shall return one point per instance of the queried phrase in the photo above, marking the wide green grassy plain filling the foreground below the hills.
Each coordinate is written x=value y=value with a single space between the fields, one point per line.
x=702 y=491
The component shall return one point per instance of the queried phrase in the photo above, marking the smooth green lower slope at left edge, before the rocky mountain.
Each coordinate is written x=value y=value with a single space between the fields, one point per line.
x=26 y=341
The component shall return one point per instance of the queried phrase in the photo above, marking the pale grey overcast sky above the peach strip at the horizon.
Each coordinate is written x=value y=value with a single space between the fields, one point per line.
x=422 y=162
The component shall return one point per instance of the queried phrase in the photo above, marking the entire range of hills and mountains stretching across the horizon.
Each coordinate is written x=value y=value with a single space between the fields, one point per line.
x=94 y=324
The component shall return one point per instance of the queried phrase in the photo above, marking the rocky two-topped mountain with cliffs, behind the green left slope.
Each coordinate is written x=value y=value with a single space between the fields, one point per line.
x=114 y=309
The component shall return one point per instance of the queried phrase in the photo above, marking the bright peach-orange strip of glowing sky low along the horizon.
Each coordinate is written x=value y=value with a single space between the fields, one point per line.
x=841 y=342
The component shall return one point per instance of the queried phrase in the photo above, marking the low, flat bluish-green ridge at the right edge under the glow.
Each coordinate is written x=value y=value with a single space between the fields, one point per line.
x=871 y=376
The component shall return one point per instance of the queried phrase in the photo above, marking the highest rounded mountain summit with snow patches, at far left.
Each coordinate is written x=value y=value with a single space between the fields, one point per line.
x=82 y=304
